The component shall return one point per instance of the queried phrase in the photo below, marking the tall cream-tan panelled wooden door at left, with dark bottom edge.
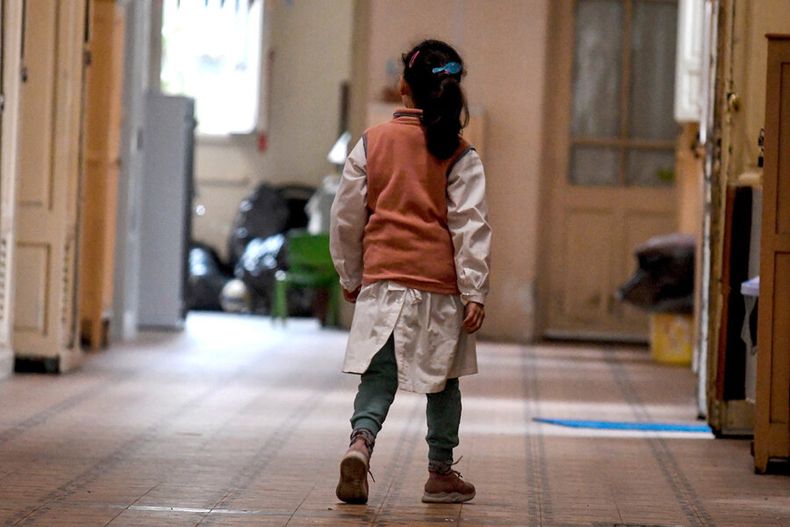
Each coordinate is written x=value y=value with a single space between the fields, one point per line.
x=49 y=170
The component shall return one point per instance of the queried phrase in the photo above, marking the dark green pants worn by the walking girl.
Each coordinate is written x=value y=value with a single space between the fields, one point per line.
x=377 y=391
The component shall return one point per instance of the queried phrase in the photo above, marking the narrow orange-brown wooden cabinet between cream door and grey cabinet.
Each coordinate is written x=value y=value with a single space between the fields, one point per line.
x=102 y=166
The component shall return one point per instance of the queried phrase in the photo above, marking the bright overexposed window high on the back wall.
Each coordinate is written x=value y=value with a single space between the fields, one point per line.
x=211 y=52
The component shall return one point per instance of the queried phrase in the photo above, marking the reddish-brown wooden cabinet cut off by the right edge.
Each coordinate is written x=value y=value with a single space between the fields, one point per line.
x=772 y=427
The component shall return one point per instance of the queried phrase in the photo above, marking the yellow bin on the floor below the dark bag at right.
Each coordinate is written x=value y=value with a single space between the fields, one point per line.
x=671 y=337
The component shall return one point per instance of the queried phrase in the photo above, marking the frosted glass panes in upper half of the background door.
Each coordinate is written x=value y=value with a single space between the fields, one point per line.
x=622 y=127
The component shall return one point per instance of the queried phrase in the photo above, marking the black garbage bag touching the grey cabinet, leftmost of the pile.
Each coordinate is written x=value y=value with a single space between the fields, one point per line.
x=207 y=276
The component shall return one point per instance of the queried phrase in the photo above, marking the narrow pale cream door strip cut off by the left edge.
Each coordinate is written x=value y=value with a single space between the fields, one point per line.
x=10 y=48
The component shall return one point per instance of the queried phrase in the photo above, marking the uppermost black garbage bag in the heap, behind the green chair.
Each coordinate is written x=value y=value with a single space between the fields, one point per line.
x=262 y=214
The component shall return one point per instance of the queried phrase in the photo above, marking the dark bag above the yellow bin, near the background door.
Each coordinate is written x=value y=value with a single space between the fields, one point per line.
x=664 y=280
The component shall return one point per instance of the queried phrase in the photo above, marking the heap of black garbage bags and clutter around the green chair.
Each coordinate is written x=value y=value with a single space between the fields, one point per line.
x=257 y=249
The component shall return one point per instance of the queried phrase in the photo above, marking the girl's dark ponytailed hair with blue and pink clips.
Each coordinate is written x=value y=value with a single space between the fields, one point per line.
x=436 y=90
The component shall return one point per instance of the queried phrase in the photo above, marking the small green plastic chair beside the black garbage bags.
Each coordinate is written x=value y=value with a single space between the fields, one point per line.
x=310 y=266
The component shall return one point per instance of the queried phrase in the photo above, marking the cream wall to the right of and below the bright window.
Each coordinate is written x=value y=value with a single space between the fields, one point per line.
x=310 y=56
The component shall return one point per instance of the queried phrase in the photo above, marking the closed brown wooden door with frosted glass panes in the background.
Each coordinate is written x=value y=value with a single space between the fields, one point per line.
x=609 y=157
